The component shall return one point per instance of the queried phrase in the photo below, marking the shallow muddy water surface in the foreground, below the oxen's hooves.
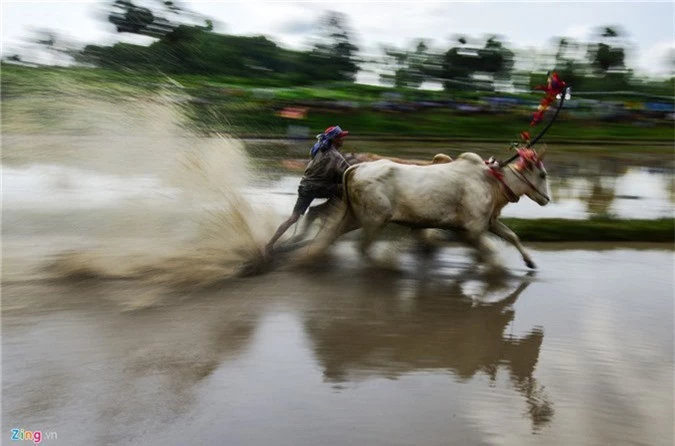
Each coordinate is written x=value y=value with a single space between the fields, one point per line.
x=577 y=353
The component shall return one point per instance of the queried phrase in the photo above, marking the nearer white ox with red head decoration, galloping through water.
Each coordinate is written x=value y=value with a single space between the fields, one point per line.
x=466 y=196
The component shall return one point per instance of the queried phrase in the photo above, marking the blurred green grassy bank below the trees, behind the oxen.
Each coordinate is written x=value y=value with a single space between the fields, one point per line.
x=232 y=106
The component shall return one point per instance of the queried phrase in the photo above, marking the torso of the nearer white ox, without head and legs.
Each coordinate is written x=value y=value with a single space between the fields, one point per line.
x=455 y=195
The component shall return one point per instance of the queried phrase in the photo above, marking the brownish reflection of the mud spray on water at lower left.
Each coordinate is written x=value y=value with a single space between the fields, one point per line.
x=73 y=360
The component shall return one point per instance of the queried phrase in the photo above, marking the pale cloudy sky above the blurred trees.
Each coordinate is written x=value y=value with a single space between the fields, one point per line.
x=648 y=27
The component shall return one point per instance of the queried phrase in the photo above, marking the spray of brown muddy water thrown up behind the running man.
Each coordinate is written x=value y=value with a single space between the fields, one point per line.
x=197 y=237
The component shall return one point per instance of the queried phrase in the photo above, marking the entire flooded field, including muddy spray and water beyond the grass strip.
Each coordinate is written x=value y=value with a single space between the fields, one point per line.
x=124 y=322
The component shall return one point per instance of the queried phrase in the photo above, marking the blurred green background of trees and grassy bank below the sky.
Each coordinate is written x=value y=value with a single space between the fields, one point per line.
x=249 y=85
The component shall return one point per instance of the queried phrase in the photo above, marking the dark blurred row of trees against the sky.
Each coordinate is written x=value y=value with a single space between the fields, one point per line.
x=187 y=44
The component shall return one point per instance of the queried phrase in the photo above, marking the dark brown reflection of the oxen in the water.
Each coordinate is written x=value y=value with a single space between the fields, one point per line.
x=391 y=329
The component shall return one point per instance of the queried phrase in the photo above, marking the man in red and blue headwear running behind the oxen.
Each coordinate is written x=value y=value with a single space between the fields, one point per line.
x=322 y=177
